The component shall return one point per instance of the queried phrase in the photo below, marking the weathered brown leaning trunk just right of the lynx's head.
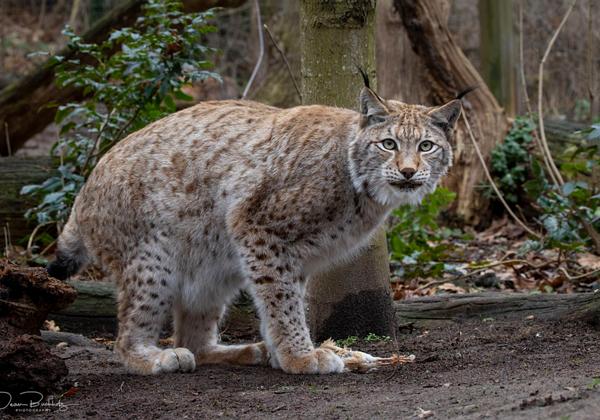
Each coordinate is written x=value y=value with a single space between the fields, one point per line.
x=449 y=72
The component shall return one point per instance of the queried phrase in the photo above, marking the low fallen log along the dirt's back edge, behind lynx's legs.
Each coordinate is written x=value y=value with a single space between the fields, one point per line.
x=97 y=300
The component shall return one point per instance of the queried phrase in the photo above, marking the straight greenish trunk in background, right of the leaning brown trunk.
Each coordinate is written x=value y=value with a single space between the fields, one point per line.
x=498 y=51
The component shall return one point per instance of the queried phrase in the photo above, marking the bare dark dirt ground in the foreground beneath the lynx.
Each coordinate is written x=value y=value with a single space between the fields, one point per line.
x=480 y=369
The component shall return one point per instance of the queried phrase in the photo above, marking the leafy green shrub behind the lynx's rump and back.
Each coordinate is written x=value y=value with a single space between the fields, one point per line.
x=127 y=89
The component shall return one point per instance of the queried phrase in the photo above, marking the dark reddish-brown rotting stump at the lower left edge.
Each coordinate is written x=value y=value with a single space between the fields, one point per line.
x=27 y=295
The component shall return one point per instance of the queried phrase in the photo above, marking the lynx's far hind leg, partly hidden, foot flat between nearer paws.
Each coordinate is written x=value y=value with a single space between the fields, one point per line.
x=198 y=331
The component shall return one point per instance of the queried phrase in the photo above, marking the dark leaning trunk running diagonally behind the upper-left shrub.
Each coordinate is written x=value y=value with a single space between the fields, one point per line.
x=23 y=104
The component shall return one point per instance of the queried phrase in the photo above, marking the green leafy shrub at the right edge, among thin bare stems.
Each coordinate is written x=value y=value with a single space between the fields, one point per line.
x=568 y=213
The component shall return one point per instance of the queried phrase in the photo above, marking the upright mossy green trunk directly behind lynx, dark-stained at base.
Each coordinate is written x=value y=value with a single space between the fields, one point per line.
x=337 y=36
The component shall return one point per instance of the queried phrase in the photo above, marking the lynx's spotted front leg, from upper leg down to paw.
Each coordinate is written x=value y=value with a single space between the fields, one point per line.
x=275 y=282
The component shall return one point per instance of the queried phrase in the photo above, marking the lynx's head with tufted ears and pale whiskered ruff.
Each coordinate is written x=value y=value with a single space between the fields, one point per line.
x=401 y=151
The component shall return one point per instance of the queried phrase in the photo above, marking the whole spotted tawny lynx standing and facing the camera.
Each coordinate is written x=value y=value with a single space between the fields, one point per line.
x=234 y=194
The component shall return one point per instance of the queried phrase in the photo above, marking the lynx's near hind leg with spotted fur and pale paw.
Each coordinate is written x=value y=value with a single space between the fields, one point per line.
x=145 y=299
